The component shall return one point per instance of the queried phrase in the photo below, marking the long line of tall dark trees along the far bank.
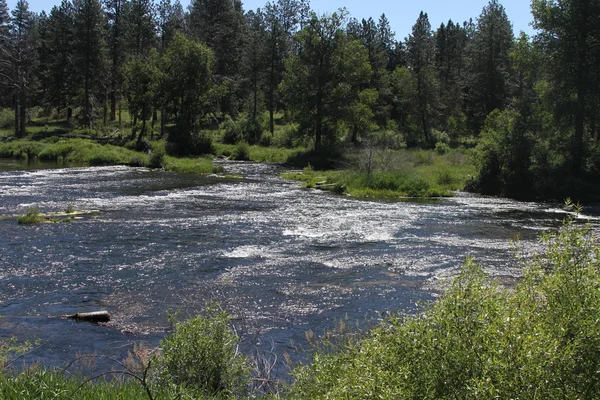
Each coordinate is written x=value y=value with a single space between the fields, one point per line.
x=531 y=105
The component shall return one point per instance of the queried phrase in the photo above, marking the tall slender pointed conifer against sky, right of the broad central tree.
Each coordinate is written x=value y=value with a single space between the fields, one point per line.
x=420 y=54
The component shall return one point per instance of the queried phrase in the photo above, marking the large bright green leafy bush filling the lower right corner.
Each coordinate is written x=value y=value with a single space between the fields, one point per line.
x=480 y=340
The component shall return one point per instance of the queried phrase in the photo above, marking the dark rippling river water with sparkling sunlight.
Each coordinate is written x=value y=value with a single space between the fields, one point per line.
x=282 y=259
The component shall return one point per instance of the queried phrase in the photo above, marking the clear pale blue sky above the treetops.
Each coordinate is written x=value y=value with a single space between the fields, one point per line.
x=402 y=14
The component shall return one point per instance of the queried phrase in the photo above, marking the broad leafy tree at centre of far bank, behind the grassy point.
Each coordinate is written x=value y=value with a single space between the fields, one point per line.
x=325 y=77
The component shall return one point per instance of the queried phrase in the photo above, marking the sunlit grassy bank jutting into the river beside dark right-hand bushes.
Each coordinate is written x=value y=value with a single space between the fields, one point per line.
x=422 y=173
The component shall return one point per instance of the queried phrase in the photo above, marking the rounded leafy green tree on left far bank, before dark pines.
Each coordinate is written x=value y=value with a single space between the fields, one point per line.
x=187 y=70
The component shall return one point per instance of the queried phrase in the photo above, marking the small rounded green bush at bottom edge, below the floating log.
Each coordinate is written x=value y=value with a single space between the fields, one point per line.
x=201 y=356
